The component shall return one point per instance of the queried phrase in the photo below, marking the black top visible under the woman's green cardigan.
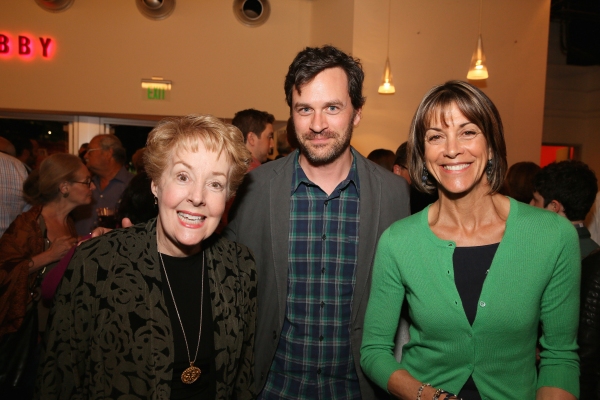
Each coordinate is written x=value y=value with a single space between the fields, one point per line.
x=471 y=265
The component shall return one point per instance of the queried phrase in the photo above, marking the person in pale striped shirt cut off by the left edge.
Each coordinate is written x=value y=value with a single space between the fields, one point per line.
x=12 y=202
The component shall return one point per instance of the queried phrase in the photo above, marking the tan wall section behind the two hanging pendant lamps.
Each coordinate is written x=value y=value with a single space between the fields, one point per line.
x=432 y=42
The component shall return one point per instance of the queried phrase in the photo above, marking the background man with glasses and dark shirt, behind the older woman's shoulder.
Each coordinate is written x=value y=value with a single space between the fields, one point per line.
x=106 y=159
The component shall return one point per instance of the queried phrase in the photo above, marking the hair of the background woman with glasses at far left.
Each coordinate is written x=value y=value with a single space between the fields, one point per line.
x=42 y=185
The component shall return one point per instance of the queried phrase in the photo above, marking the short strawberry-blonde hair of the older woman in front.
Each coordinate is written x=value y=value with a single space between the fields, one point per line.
x=172 y=134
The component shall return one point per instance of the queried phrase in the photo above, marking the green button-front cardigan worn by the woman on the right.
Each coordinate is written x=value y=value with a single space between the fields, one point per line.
x=533 y=279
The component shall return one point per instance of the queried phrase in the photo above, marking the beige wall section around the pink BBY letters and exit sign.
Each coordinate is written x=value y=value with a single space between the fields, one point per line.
x=105 y=48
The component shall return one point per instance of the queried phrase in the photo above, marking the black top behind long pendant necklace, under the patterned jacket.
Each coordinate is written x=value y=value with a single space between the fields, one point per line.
x=185 y=277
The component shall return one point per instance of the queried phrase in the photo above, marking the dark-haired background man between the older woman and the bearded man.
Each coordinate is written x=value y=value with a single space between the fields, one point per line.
x=257 y=128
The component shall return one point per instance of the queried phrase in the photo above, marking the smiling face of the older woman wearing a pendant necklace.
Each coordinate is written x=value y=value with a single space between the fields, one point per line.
x=191 y=194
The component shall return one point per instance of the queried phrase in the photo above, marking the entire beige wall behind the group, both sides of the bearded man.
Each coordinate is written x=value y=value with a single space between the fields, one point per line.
x=219 y=66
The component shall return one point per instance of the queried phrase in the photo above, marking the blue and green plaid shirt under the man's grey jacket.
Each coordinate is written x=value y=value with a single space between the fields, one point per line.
x=314 y=357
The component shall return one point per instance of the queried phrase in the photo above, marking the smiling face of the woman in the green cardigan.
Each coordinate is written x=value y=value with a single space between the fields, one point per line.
x=456 y=153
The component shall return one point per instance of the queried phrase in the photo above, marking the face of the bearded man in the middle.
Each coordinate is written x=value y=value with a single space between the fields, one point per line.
x=324 y=117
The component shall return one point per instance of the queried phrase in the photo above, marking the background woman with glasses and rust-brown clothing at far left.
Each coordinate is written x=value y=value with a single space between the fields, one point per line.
x=37 y=239
